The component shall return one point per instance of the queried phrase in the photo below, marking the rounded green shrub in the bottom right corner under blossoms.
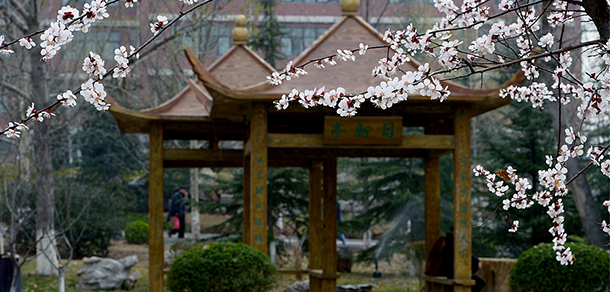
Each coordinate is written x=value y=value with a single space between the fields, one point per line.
x=538 y=270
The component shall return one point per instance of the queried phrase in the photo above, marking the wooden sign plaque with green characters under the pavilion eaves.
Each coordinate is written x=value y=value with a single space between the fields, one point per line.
x=363 y=130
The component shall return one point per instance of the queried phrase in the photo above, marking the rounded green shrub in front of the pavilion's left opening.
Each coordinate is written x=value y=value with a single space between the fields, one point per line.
x=221 y=267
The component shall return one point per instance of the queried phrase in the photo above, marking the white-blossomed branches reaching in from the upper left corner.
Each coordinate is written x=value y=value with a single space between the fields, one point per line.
x=60 y=33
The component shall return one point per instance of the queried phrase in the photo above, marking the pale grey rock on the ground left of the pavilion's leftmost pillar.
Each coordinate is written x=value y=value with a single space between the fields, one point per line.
x=107 y=274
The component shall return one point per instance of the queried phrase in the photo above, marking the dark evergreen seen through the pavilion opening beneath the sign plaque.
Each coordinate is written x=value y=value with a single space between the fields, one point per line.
x=392 y=193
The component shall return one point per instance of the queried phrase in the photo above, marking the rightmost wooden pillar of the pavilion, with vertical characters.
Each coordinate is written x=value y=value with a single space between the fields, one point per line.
x=461 y=198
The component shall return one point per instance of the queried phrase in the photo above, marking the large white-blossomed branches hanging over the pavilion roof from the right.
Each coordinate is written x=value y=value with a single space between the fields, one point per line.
x=524 y=44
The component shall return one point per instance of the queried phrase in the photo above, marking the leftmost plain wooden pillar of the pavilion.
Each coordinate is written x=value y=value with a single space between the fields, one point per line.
x=155 y=208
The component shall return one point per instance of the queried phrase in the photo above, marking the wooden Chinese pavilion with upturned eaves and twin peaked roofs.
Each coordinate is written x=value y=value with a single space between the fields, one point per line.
x=231 y=101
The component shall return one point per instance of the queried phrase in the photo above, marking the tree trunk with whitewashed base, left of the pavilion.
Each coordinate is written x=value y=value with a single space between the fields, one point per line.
x=45 y=199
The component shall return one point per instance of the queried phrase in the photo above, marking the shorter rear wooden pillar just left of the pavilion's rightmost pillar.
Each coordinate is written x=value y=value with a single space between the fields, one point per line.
x=432 y=211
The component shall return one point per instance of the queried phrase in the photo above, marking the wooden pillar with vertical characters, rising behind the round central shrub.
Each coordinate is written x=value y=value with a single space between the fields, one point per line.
x=258 y=176
